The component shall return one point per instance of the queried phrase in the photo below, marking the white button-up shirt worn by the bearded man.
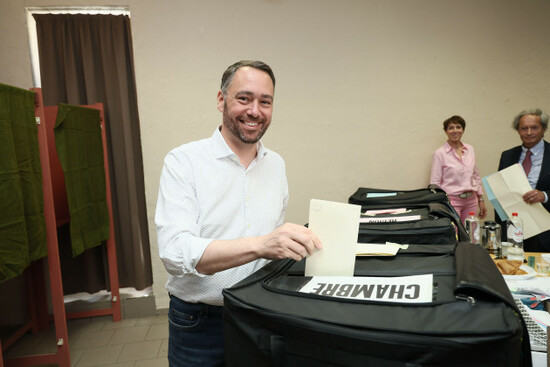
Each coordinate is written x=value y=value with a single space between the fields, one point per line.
x=206 y=194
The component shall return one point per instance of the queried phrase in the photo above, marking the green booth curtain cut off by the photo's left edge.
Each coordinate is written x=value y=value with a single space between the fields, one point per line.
x=22 y=224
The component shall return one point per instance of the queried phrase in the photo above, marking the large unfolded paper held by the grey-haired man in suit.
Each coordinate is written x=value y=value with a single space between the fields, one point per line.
x=505 y=189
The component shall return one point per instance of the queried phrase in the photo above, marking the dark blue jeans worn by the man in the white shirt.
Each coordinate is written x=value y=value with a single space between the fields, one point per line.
x=195 y=334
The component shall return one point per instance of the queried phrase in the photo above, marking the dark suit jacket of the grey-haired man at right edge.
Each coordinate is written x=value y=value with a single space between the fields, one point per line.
x=510 y=157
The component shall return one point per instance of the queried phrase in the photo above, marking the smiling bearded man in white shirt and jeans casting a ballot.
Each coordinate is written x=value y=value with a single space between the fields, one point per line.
x=220 y=214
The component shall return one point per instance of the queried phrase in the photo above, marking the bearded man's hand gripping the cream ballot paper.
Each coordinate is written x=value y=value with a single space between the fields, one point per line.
x=289 y=241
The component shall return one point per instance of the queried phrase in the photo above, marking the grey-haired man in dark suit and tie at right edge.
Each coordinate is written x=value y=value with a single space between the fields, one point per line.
x=534 y=155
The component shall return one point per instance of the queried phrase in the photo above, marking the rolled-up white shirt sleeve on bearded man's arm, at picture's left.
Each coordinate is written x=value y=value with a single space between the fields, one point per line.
x=177 y=217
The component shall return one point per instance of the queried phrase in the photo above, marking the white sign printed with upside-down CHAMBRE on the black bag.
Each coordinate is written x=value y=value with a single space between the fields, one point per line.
x=406 y=289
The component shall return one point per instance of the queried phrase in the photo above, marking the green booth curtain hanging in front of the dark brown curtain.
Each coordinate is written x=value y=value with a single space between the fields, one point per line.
x=80 y=150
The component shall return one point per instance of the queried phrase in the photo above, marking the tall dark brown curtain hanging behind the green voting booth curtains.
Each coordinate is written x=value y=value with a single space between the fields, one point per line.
x=86 y=59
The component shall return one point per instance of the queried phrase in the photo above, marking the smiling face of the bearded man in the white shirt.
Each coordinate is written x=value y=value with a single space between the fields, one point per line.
x=248 y=105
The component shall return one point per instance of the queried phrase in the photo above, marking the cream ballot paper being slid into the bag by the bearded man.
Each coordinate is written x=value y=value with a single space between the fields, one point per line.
x=337 y=226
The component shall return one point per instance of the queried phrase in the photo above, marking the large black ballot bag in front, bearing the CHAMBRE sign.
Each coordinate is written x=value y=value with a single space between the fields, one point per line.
x=471 y=320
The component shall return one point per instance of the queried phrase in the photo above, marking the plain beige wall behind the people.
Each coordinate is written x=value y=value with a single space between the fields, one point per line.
x=362 y=86
